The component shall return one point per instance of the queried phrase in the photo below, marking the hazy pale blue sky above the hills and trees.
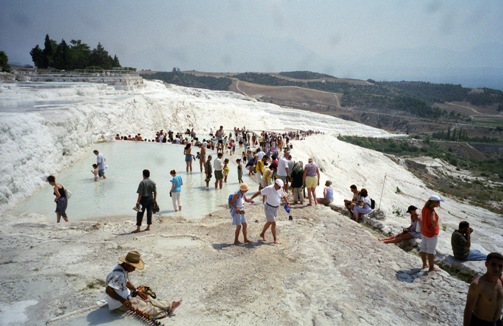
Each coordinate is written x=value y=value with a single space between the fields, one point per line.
x=454 y=41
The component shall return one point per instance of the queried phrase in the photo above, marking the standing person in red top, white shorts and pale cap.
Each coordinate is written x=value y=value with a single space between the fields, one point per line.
x=429 y=229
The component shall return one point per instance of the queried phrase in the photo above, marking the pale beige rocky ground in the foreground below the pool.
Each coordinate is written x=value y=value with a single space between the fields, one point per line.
x=327 y=270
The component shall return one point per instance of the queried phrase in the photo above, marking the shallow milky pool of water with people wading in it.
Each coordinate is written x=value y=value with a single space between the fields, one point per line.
x=116 y=195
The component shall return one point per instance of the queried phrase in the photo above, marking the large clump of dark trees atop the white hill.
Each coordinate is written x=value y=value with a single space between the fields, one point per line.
x=76 y=55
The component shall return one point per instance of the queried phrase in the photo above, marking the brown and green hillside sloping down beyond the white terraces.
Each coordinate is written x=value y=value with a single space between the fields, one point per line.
x=461 y=126
